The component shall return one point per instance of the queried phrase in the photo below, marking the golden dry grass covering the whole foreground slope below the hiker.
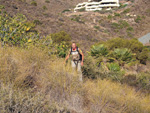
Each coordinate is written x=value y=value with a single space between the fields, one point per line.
x=32 y=81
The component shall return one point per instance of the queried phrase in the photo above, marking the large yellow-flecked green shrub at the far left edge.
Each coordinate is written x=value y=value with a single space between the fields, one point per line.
x=16 y=30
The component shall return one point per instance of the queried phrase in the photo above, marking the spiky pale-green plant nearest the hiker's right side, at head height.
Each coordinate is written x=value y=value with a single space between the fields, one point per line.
x=99 y=50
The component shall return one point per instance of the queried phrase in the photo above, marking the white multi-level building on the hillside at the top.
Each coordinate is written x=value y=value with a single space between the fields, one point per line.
x=94 y=5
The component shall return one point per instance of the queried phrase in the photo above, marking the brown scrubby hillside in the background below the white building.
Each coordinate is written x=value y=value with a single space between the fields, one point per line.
x=84 y=27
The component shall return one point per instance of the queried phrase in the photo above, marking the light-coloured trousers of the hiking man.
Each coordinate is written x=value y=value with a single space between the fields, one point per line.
x=76 y=65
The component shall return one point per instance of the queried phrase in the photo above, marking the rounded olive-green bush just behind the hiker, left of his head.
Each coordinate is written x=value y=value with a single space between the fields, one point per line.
x=60 y=37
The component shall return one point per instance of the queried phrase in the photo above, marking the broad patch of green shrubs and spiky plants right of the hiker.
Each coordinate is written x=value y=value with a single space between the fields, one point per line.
x=120 y=60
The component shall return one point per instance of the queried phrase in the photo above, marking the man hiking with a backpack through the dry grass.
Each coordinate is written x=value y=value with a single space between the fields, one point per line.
x=77 y=59
